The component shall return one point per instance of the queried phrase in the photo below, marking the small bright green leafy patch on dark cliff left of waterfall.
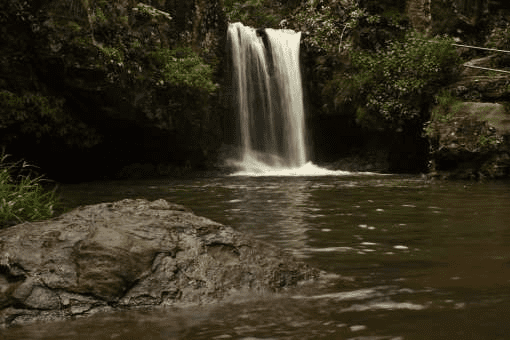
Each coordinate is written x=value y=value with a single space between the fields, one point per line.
x=183 y=67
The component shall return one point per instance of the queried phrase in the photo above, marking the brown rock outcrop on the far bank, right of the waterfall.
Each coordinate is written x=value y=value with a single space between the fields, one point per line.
x=473 y=142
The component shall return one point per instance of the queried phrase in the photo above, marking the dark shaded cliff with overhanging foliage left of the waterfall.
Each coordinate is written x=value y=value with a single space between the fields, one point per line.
x=111 y=82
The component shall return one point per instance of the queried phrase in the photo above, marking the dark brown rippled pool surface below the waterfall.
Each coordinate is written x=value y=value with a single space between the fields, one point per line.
x=414 y=259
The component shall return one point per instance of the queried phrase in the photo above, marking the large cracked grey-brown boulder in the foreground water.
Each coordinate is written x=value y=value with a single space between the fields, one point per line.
x=131 y=253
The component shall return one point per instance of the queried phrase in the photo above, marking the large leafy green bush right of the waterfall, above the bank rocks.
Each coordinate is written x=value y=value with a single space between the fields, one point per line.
x=395 y=84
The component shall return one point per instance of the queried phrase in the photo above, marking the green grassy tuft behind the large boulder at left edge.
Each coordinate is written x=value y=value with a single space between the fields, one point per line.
x=22 y=197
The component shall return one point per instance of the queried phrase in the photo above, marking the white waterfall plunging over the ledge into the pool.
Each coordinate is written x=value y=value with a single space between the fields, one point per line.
x=266 y=80
